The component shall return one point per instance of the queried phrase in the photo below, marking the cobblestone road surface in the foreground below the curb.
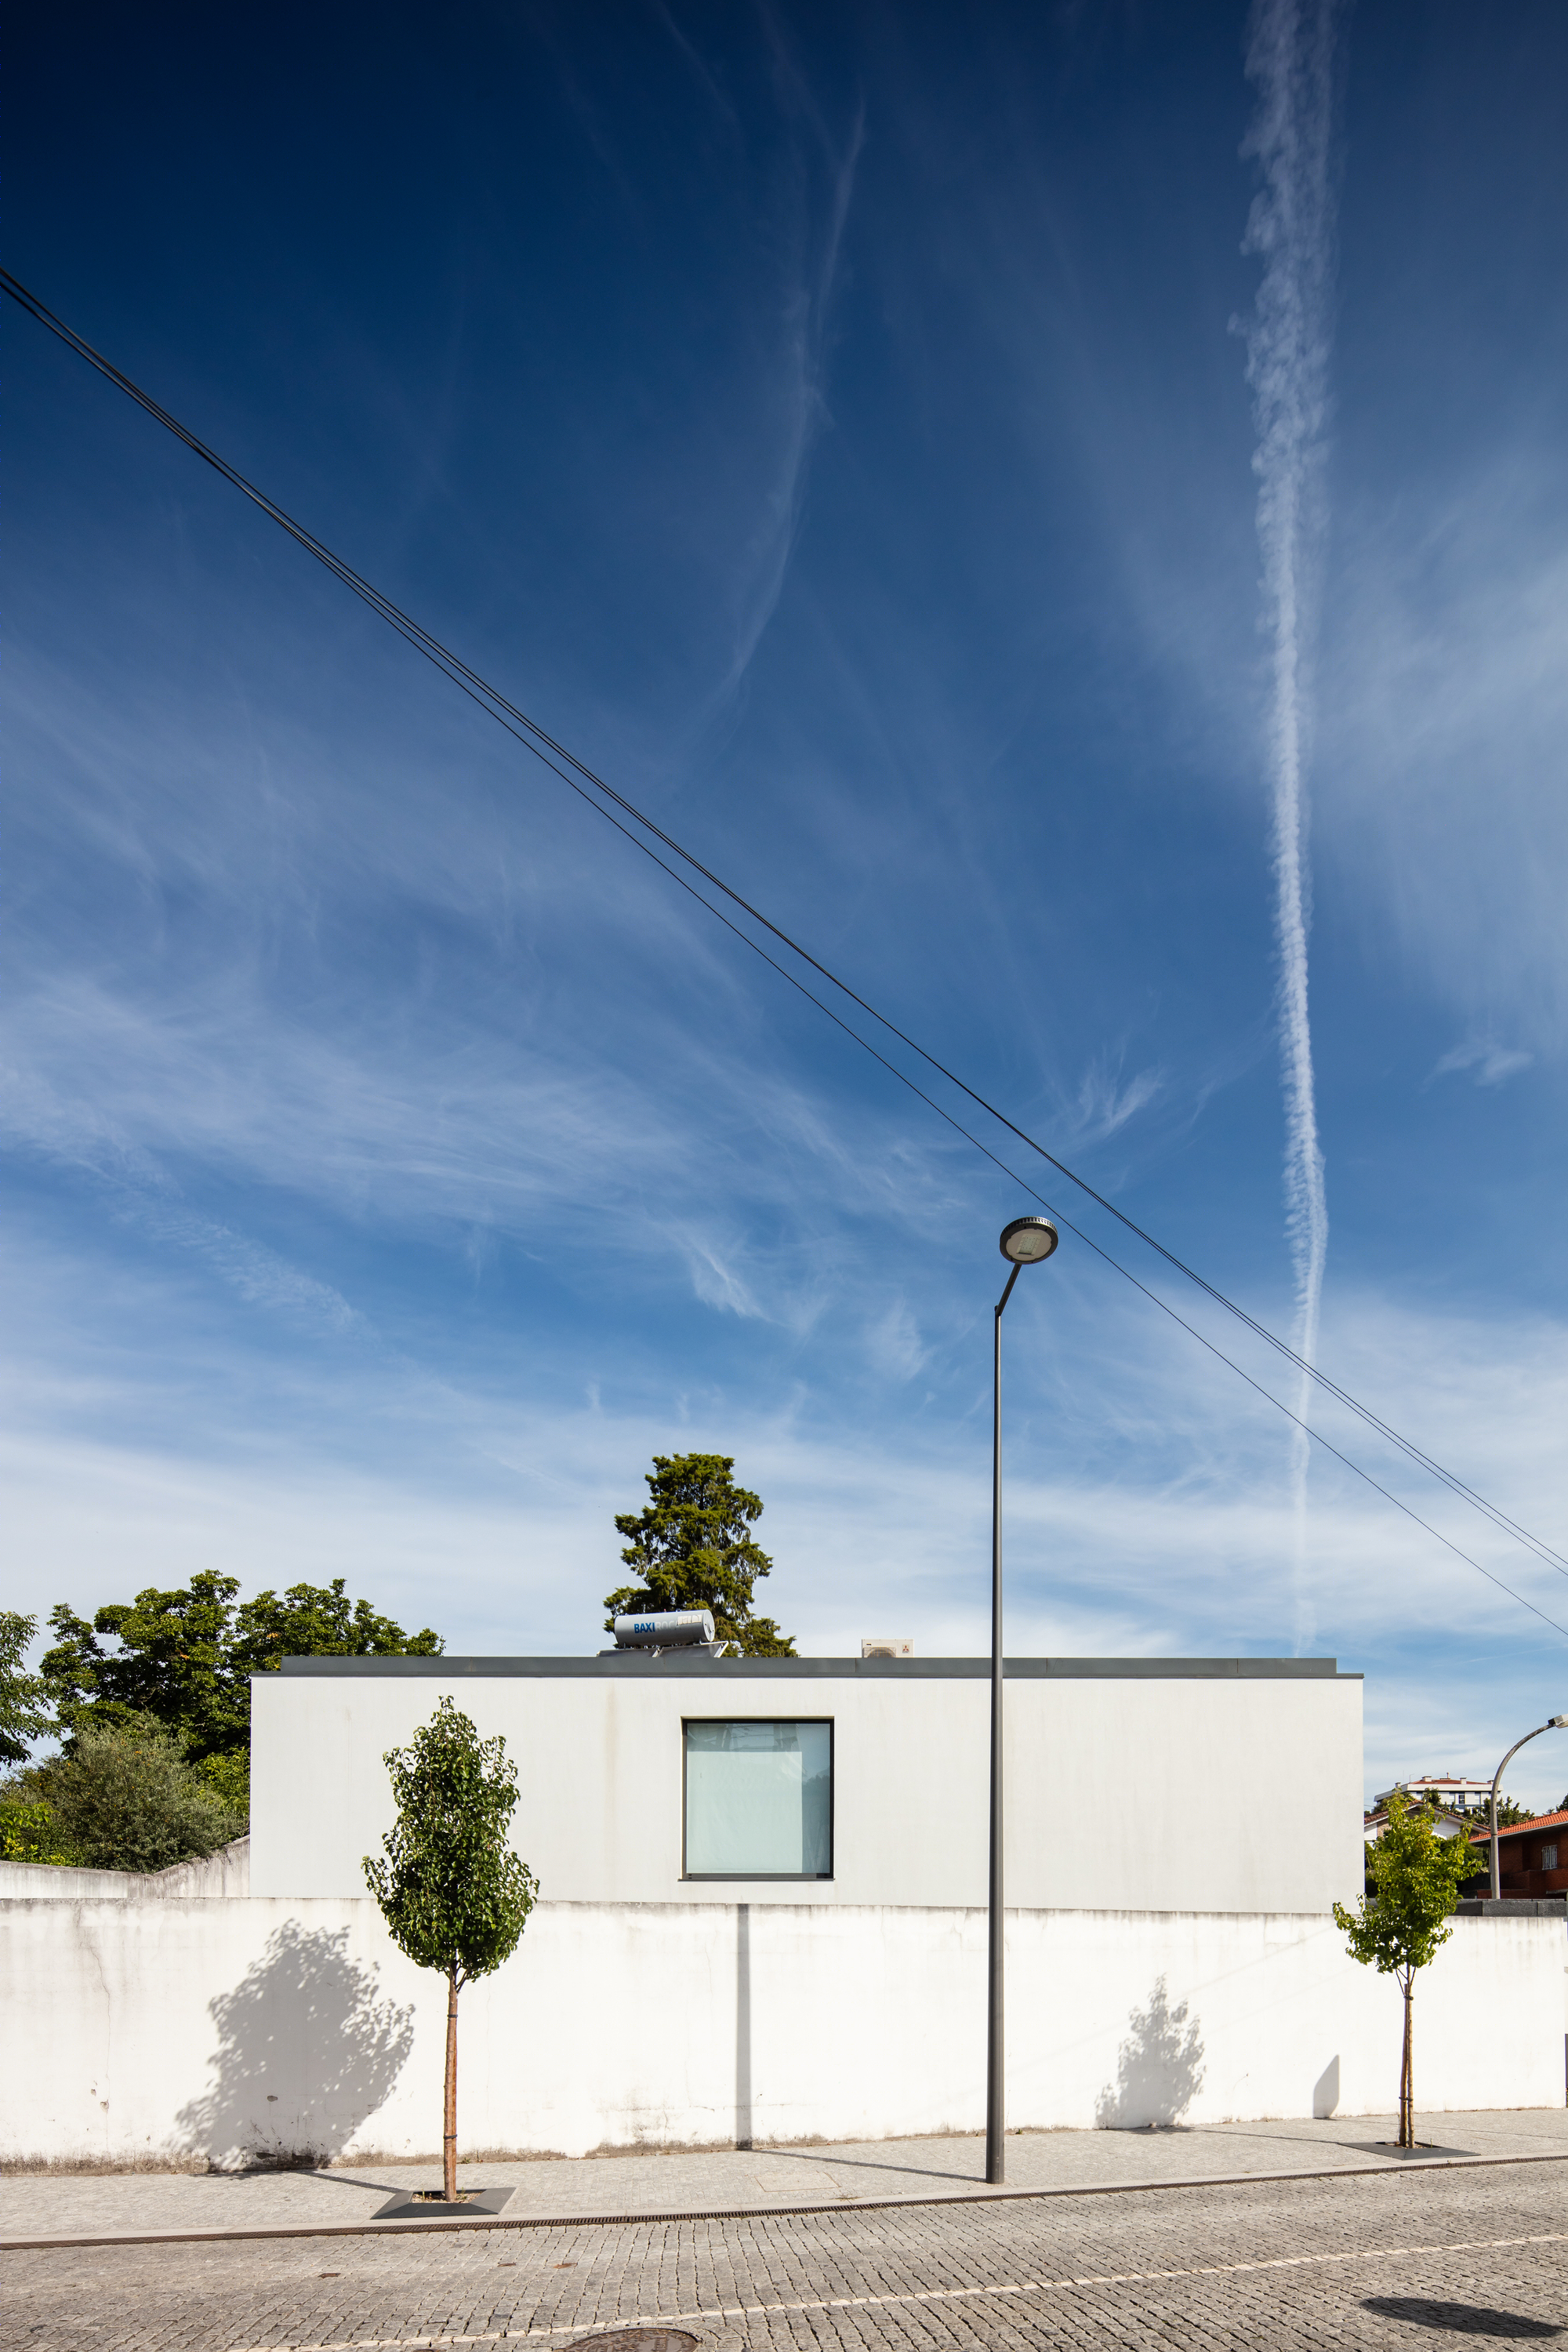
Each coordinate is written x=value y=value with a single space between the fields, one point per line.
x=1386 y=2259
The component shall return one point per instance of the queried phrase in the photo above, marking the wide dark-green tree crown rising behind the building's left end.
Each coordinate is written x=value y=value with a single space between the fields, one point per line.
x=185 y=1659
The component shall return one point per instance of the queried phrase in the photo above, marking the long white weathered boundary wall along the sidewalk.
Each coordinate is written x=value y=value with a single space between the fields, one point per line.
x=267 y=2026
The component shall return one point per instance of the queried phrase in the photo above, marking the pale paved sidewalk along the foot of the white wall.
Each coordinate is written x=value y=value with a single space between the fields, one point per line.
x=74 y=2207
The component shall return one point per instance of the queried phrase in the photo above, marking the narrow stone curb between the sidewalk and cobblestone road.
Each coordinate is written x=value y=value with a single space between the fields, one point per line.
x=1376 y=2170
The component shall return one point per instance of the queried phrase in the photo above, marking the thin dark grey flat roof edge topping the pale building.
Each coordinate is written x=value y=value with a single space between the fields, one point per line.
x=685 y=1664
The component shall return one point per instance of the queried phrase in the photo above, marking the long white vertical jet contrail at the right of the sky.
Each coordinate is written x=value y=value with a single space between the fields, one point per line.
x=1287 y=366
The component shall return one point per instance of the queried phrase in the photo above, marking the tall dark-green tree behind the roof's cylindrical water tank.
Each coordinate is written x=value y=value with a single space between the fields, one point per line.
x=692 y=1549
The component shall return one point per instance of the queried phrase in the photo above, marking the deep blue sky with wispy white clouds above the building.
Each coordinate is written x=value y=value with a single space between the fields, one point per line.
x=836 y=427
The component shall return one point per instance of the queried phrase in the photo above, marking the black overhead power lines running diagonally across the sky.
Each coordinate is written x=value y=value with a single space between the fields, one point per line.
x=603 y=796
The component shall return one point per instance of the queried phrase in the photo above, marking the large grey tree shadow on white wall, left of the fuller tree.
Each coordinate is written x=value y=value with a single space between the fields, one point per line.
x=307 y=2052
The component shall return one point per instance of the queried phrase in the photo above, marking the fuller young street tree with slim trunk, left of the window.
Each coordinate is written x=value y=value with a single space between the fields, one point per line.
x=450 y=1890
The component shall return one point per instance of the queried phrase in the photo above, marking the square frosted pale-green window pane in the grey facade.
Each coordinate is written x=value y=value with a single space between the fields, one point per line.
x=760 y=1800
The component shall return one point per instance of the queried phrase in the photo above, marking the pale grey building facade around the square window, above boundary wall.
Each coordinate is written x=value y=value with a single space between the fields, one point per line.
x=1139 y=1786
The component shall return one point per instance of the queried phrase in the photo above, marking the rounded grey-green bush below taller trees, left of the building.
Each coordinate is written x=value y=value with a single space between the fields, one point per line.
x=128 y=1800
